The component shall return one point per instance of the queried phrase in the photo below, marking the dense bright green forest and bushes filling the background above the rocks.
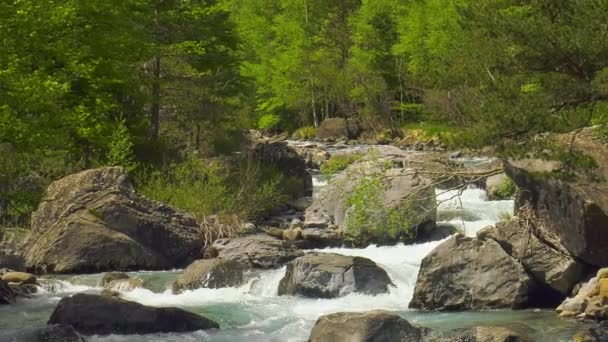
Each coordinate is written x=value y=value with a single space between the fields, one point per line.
x=161 y=87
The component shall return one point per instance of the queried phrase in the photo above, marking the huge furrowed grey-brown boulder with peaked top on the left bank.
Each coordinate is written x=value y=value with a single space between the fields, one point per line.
x=94 y=221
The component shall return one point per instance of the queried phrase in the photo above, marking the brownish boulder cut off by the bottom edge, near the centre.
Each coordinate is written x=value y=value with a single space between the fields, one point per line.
x=372 y=326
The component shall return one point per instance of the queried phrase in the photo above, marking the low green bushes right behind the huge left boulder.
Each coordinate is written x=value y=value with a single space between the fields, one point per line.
x=244 y=189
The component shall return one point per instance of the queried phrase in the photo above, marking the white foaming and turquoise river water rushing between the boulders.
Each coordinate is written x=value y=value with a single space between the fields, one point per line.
x=254 y=312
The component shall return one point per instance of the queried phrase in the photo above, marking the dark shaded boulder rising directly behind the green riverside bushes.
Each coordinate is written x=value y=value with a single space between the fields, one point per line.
x=285 y=159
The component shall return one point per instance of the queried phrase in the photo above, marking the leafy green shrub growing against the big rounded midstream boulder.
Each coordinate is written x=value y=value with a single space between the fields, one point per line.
x=371 y=221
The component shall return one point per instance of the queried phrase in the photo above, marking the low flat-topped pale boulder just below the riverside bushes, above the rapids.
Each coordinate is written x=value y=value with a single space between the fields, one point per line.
x=257 y=251
